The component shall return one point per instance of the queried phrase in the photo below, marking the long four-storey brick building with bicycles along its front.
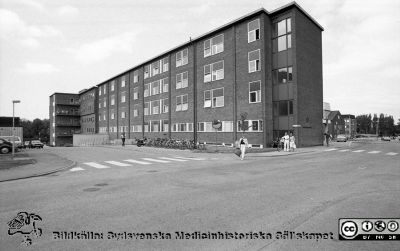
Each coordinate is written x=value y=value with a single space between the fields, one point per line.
x=265 y=64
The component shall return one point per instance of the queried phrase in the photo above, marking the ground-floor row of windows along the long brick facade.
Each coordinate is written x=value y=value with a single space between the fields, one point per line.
x=163 y=126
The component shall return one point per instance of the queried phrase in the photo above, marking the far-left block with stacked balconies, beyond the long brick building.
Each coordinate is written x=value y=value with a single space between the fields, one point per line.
x=64 y=118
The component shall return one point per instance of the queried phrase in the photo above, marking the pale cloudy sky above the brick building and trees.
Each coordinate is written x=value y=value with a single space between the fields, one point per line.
x=49 y=46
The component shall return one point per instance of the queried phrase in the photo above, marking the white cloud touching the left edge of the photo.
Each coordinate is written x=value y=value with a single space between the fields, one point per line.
x=12 y=27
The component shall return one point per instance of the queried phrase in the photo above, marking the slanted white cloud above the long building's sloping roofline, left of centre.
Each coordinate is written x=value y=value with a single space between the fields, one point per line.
x=104 y=48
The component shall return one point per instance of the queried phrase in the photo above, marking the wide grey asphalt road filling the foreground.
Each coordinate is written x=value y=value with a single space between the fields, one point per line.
x=207 y=193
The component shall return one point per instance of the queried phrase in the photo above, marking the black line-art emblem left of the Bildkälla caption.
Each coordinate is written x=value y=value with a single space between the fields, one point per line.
x=25 y=224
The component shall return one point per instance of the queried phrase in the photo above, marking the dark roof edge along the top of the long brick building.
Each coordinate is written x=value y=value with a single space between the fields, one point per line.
x=249 y=15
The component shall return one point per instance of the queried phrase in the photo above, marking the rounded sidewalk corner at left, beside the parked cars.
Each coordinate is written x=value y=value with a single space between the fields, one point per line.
x=39 y=162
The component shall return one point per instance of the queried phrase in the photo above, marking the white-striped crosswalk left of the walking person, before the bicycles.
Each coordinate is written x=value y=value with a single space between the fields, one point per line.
x=132 y=162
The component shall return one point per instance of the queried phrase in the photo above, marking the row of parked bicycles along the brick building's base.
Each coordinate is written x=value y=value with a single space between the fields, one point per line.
x=167 y=143
